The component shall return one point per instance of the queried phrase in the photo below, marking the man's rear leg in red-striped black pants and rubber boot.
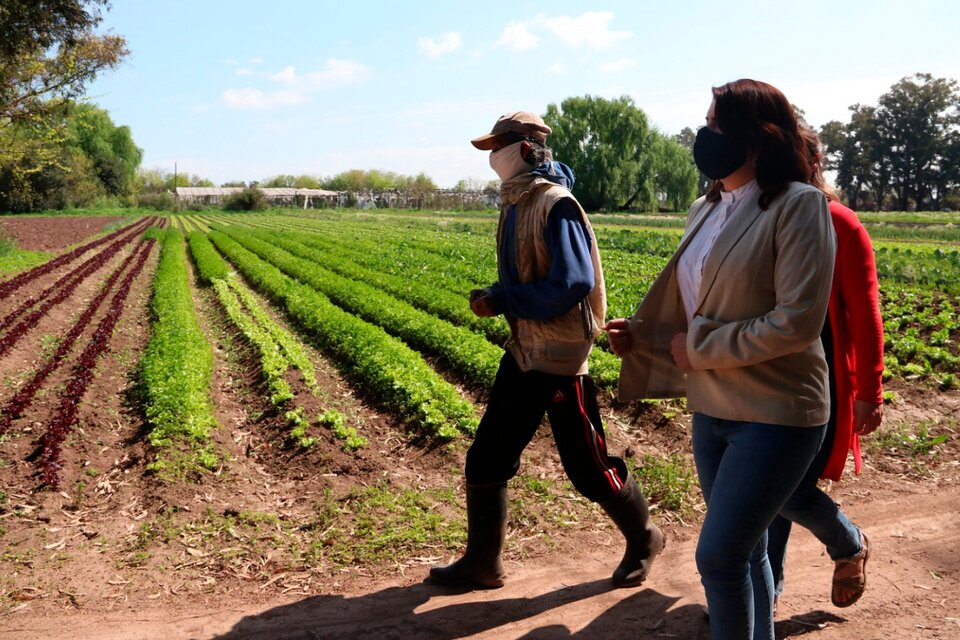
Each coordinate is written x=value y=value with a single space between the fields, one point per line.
x=600 y=477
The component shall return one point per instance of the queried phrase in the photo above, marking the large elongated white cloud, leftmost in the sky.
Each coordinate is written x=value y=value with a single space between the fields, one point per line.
x=297 y=87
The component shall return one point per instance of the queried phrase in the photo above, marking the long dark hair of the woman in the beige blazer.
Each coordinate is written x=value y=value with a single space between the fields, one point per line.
x=760 y=116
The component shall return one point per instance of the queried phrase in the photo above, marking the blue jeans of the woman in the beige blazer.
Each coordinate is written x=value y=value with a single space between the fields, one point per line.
x=747 y=473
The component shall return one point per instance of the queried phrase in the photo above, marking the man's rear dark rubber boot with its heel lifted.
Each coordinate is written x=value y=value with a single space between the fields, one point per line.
x=630 y=513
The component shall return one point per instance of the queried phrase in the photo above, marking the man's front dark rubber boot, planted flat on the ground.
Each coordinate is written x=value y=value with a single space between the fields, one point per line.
x=480 y=565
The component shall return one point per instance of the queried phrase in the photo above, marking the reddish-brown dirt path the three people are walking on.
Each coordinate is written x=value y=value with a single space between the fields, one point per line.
x=913 y=592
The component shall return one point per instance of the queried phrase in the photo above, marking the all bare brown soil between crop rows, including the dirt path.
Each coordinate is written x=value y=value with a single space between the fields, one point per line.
x=93 y=559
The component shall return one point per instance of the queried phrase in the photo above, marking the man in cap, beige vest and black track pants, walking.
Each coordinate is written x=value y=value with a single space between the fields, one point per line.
x=551 y=291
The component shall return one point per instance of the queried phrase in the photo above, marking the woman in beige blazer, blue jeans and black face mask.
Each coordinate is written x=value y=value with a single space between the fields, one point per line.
x=733 y=323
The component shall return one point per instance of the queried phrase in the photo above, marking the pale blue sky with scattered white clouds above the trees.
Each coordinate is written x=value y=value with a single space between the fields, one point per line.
x=245 y=90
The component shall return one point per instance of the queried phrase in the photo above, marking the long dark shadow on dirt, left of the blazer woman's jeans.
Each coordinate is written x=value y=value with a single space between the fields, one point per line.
x=392 y=614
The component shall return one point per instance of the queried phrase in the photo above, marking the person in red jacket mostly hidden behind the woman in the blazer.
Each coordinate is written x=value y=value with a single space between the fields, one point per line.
x=853 y=341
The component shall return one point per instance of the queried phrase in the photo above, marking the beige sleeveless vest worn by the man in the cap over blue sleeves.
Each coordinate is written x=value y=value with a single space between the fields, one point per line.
x=559 y=345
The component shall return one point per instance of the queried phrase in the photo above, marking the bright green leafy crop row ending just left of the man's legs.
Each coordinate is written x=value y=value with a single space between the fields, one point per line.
x=394 y=376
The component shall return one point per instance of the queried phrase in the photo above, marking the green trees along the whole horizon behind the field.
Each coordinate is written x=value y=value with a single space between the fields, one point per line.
x=58 y=152
